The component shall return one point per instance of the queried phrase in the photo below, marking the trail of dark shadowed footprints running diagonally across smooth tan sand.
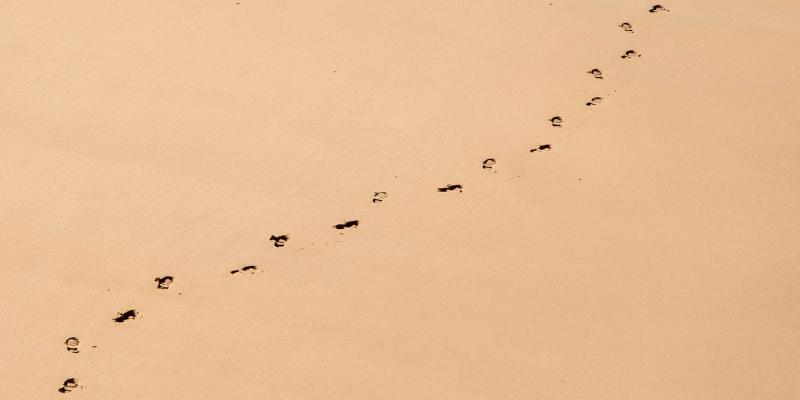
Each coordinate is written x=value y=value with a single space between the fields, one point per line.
x=164 y=282
